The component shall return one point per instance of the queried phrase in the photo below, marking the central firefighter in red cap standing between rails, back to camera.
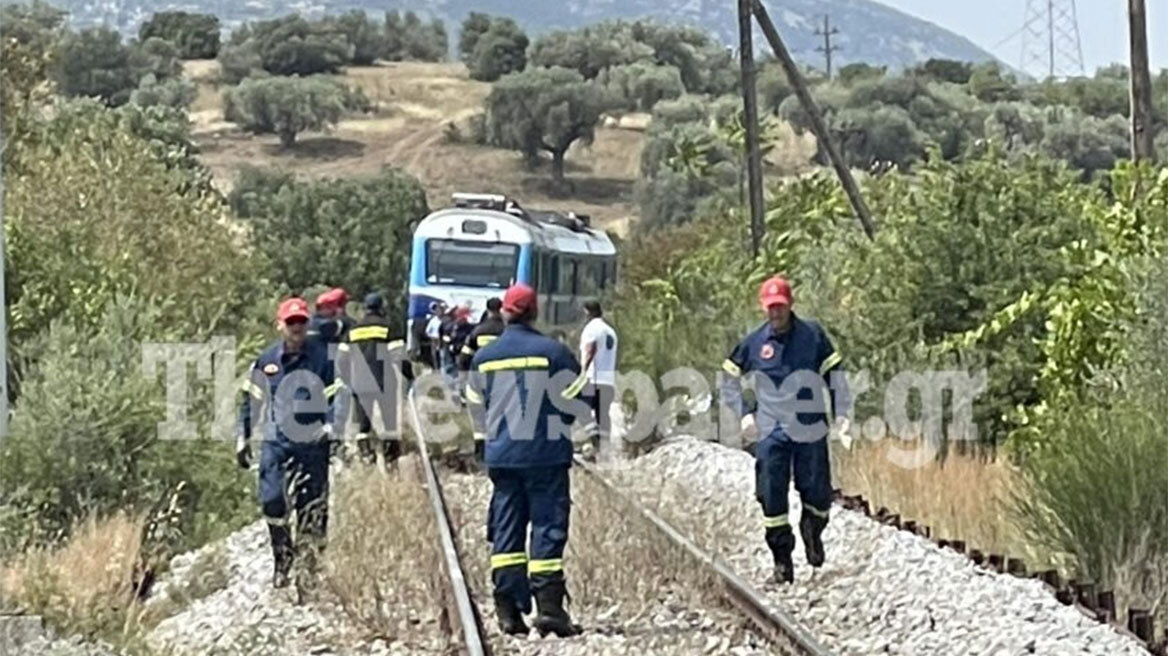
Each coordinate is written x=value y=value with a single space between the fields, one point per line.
x=523 y=392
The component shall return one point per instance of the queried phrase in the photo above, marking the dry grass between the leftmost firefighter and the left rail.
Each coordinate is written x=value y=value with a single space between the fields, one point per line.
x=383 y=563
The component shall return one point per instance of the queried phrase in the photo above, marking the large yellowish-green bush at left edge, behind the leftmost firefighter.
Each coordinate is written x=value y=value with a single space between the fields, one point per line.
x=107 y=203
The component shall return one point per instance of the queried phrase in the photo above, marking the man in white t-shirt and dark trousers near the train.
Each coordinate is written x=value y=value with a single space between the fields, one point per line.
x=599 y=357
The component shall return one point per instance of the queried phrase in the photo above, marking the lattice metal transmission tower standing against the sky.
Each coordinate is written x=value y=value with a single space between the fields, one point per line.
x=1051 y=39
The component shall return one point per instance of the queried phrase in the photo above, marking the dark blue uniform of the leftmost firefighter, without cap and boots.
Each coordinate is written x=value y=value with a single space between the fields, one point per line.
x=291 y=396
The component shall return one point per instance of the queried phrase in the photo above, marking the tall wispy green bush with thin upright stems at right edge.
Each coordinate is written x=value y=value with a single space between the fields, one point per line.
x=1097 y=494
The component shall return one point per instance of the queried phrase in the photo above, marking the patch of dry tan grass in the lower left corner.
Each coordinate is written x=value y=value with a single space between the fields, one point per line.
x=85 y=587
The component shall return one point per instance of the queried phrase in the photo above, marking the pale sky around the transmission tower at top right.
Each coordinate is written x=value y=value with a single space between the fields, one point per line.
x=1103 y=27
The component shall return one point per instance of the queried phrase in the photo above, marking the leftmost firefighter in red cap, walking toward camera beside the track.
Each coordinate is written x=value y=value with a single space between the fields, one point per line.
x=291 y=390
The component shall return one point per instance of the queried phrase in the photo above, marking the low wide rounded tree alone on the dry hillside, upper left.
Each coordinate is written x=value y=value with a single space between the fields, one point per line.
x=284 y=106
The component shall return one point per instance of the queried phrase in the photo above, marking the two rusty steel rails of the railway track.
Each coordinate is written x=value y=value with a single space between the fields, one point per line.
x=773 y=624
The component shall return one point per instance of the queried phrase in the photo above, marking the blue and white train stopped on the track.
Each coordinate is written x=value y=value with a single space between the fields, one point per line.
x=471 y=253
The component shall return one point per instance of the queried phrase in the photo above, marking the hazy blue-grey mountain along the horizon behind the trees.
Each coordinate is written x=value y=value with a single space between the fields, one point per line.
x=870 y=32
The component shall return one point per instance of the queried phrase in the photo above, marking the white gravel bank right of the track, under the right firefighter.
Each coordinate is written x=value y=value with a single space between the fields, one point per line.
x=882 y=591
